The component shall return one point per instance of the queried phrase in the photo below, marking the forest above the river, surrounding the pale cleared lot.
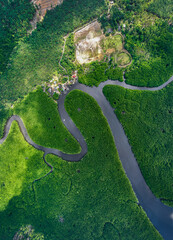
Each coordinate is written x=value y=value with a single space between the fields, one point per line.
x=30 y=60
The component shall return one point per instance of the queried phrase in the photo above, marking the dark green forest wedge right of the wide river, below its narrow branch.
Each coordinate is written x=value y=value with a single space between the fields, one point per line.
x=147 y=120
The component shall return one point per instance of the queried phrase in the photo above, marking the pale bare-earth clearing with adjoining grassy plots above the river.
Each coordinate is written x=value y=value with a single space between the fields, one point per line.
x=92 y=45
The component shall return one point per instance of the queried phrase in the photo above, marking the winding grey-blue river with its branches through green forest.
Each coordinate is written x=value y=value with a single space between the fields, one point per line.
x=160 y=215
